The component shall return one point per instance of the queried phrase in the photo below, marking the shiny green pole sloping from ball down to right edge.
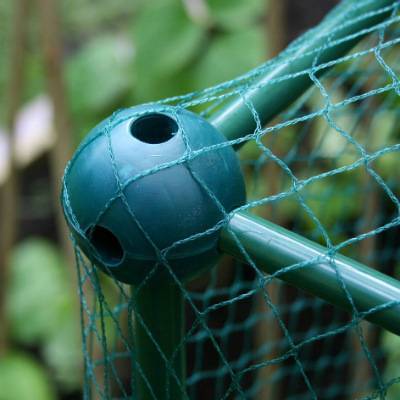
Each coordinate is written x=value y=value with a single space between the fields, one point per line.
x=272 y=248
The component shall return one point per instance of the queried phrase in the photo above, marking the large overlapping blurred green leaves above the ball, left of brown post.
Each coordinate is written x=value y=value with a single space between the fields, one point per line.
x=175 y=53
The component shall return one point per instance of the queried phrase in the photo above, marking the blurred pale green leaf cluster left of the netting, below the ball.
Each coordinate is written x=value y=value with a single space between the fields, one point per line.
x=41 y=307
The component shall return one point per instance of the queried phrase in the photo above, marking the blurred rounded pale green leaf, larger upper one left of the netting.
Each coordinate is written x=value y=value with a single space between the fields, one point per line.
x=38 y=290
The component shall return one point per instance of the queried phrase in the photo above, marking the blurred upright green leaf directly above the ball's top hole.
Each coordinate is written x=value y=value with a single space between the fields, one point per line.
x=166 y=41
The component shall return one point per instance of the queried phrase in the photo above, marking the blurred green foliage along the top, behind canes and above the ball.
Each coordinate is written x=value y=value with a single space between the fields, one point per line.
x=119 y=55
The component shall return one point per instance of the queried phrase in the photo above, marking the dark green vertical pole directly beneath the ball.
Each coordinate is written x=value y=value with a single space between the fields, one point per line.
x=159 y=331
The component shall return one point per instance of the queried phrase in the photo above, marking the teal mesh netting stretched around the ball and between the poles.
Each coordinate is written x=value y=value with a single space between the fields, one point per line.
x=328 y=168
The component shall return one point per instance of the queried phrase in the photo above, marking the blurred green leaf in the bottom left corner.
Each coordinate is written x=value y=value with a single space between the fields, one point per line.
x=22 y=378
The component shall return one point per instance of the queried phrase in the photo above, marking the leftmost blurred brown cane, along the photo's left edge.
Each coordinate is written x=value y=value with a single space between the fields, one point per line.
x=9 y=191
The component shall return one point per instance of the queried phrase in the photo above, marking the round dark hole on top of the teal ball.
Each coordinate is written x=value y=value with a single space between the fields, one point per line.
x=154 y=128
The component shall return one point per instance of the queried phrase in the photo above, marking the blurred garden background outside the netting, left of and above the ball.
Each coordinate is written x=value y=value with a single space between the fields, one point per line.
x=64 y=66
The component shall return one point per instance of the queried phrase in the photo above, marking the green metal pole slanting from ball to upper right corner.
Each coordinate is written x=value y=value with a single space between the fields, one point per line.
x=327 y=42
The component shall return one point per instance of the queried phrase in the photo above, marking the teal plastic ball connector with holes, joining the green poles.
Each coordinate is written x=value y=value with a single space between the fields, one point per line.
x=147 y=192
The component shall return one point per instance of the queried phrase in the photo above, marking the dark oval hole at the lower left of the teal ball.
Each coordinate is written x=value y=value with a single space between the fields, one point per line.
x=106 y=244
